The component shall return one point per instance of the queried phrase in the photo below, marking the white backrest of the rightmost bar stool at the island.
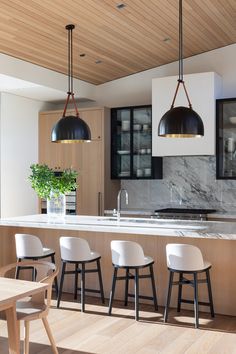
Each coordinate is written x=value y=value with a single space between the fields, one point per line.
x=184 y=257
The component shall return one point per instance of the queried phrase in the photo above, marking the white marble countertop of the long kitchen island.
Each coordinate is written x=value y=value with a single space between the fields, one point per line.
x=143 y=226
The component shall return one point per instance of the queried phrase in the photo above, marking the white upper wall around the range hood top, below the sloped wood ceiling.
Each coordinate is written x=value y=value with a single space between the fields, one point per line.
x=137 y=89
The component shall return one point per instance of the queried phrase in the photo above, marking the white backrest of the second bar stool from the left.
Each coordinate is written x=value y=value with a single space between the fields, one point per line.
x=75 y=249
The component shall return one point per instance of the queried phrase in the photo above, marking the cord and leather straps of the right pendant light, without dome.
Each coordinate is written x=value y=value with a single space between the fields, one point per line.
x=181 y=70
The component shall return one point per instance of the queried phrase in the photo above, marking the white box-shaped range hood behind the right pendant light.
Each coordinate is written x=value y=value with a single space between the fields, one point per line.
x=203 y=89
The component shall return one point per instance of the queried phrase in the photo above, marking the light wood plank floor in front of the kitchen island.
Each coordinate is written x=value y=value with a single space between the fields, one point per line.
x=95 y=332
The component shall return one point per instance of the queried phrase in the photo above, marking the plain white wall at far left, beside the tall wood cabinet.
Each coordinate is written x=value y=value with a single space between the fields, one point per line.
x=18 y=150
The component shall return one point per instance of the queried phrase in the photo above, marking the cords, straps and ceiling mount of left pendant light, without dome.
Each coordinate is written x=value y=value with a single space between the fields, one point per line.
x=70 y=92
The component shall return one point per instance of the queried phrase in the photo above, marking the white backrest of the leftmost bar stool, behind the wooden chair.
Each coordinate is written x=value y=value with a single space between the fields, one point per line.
x=28 y=246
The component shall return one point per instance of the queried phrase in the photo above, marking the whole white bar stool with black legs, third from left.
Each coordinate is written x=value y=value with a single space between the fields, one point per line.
x=129 y=255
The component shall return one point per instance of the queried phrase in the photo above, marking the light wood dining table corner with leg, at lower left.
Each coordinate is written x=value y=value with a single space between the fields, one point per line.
x=12 y=290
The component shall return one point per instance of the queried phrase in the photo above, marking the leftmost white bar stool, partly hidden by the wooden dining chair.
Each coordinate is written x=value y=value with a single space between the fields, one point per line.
x=30 y=247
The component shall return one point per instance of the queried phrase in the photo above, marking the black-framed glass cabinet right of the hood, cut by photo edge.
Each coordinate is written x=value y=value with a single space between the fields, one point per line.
x=226 y=138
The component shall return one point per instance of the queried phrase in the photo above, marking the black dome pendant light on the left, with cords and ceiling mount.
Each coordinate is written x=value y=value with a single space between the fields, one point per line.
x=70 y=129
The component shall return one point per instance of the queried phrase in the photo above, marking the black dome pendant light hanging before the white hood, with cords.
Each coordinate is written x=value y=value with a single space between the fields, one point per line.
x=181 y=122
